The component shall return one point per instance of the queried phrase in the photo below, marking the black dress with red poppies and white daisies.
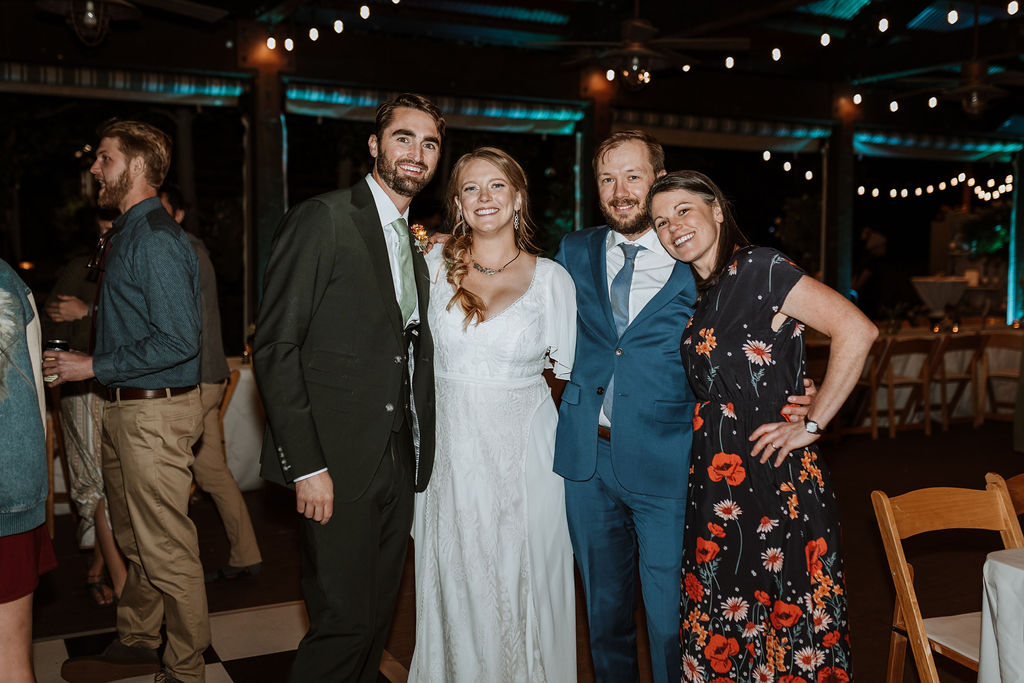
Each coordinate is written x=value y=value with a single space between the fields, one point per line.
x=764 y=597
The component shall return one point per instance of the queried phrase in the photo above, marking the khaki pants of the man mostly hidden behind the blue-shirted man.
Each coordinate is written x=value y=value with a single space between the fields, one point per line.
x=214 y=477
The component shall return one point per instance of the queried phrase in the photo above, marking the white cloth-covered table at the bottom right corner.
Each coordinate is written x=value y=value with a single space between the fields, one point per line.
x=1003 y=619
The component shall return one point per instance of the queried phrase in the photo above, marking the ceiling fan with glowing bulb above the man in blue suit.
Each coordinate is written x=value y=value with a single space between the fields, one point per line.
x=639 y=53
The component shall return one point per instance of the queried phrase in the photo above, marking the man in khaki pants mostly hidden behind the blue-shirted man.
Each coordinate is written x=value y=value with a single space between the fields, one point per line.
x=210 y=466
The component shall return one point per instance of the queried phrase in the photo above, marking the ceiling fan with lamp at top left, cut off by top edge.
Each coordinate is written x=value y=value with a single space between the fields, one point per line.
x=92 y=19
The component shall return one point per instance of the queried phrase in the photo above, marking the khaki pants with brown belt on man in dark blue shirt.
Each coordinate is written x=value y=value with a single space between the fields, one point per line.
x=147 y=455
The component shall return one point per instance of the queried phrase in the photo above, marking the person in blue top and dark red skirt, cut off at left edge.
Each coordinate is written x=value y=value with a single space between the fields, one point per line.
x=26 y=551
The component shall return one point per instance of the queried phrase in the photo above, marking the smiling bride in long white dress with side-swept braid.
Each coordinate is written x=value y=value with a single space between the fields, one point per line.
x=495 y=599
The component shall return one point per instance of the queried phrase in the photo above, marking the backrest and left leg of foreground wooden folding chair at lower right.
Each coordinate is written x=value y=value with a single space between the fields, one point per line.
x=931 y=510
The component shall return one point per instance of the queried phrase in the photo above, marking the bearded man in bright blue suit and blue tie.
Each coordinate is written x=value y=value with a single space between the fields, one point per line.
x=625 y=422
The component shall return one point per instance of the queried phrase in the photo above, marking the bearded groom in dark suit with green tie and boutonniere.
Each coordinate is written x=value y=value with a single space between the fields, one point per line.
x=344 y=360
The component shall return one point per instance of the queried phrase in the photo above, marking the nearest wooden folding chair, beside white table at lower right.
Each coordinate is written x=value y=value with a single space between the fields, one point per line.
x=958 y=636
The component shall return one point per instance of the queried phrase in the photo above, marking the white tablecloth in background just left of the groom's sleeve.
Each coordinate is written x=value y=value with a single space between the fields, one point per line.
x=244 y=423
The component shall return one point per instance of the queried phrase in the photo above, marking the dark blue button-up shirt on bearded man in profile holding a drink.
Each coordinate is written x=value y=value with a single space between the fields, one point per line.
x=149 y=323
